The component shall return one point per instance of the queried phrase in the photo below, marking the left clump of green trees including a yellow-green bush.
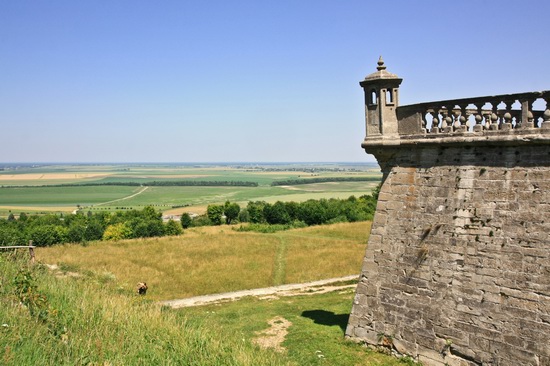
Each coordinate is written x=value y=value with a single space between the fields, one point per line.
x=50 y=229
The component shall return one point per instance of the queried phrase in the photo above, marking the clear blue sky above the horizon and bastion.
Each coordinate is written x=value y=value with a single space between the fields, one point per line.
x=243 y=81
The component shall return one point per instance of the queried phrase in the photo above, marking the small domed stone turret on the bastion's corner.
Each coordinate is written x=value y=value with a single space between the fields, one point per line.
x=381 y=101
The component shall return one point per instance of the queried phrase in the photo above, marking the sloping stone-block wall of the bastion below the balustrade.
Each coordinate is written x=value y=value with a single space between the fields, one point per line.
x=458 y=265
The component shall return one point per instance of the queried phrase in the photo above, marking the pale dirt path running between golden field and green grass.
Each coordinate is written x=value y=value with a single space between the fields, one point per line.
x=309 y=288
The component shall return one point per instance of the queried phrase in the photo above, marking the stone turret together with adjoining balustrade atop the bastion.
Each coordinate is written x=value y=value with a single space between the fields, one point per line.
x=522 y=117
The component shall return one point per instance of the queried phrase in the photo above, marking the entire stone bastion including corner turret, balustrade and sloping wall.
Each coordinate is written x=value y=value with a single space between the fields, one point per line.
x=457 y=269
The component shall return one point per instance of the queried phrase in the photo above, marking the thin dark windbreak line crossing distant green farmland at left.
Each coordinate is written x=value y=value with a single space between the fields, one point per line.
x=167 y=183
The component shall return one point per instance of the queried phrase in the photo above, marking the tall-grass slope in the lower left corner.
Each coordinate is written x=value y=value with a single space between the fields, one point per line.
x=47 y=320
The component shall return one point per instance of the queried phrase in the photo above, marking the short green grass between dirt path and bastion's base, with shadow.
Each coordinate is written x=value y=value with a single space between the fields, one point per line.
x=316 y=333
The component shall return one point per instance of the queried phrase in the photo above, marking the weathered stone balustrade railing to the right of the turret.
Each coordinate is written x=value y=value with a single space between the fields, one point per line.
x=474 y=115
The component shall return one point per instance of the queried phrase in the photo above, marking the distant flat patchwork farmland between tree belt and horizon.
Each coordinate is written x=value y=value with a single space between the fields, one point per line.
x=66 y=188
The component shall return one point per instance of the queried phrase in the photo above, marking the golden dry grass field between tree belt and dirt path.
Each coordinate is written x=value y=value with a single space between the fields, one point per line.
x=217 y=259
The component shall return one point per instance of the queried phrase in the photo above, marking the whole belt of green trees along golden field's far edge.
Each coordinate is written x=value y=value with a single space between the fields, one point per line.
x=51 y=229
